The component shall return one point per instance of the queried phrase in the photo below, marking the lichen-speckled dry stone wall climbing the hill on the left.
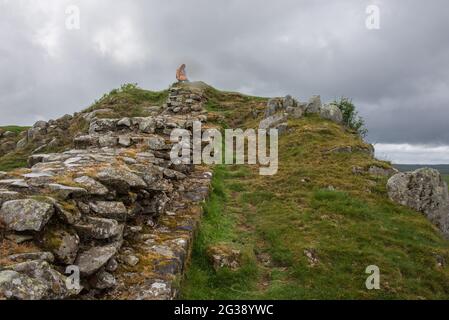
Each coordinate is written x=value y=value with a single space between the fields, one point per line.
x=115 y=208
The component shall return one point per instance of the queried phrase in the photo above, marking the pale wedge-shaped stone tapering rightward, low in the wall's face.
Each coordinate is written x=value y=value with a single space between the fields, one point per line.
x=95 y=258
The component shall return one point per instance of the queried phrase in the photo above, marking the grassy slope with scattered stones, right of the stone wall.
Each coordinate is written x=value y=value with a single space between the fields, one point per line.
x=278 y=218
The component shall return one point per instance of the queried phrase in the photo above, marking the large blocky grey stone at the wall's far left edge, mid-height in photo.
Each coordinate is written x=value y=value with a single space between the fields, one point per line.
x=26 y=214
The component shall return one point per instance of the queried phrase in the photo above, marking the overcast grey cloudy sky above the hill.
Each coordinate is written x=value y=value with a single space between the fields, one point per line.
x=398 y=75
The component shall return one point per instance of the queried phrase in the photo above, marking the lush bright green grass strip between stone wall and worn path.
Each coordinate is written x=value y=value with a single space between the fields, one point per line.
x=218 y=227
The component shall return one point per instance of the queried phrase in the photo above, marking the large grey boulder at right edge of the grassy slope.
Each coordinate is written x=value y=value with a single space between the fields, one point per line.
x=425 y=191
